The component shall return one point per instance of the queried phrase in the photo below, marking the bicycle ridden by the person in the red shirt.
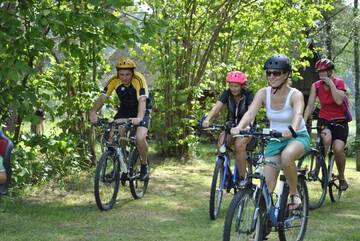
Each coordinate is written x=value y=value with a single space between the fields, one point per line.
x=319 y=177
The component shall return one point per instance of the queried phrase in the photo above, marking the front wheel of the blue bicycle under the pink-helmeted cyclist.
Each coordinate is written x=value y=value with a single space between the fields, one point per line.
x=216 y=190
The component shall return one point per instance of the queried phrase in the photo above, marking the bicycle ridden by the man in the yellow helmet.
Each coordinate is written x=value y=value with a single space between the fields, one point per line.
x=120 y=162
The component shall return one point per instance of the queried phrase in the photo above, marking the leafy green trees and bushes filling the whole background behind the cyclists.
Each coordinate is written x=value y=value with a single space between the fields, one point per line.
x=52 y=57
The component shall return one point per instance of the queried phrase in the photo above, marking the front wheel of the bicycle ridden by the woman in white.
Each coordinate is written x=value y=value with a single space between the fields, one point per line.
x=239 y=221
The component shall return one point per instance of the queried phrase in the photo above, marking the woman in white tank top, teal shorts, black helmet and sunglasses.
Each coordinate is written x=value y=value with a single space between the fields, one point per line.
x=284 y=106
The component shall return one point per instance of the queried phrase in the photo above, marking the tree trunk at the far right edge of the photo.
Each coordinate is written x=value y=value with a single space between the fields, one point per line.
x=357 y=79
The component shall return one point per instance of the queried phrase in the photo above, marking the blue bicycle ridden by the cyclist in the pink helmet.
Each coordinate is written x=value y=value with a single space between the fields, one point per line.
x=223 y=178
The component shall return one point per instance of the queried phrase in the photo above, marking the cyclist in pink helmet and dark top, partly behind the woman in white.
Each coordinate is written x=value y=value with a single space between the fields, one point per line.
x=237 y=99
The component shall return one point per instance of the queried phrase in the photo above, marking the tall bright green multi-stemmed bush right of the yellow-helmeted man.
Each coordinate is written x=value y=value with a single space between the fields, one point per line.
x=199 y=41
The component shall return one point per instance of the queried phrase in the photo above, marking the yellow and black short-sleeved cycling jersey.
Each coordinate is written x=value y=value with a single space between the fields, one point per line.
x=128 y=95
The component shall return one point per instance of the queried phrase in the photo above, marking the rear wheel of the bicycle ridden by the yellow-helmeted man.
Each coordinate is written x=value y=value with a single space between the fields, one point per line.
x=137 y=186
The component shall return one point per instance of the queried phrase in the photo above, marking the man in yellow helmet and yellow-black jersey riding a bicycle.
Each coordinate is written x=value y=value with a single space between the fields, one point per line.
x=132 y=91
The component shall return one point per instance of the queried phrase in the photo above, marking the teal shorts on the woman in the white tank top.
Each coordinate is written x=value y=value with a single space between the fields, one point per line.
x=275 y=147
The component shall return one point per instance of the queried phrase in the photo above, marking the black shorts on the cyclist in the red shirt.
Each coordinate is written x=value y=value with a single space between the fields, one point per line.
x=340 y=132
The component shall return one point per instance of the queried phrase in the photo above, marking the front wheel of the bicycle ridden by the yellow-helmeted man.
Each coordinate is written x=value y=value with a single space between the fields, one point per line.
x=106 y=181
